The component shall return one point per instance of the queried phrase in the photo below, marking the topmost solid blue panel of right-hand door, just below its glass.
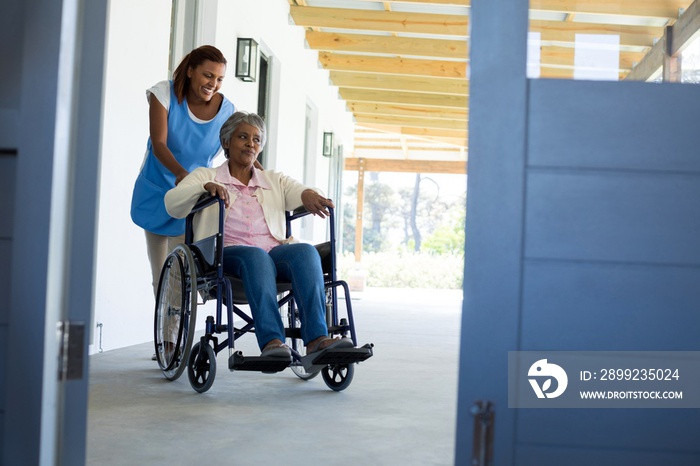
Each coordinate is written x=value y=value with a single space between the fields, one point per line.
x=623 y=125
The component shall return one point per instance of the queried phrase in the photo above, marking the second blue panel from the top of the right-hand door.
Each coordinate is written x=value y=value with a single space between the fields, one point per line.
x=606 y=215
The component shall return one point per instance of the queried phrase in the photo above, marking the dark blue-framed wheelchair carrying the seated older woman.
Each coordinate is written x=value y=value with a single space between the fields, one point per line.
x=196 y=268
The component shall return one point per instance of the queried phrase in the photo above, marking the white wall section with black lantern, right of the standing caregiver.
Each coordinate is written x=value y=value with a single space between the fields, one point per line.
x=297 y=79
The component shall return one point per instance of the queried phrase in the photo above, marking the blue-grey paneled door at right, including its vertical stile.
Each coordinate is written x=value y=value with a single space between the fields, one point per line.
x=582 y=234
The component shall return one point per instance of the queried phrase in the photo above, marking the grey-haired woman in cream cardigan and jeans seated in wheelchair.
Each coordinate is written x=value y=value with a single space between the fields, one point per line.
x=256 y=249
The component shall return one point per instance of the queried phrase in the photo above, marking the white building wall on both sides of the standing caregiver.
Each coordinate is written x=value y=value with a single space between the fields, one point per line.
x=138 y=44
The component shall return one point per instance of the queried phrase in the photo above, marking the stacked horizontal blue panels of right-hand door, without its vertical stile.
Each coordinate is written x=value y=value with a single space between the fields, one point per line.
x=611 y=257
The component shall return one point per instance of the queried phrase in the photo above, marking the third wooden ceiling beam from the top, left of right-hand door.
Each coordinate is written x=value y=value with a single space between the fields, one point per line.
x=391 y=65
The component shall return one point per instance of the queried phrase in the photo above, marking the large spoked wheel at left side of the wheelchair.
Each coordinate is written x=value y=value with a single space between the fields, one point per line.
x=176 y=312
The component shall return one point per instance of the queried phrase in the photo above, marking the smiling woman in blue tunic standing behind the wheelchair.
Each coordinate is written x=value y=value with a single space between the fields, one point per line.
x=185 y=117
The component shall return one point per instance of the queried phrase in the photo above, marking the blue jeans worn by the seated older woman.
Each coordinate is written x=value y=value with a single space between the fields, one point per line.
x=298 y=264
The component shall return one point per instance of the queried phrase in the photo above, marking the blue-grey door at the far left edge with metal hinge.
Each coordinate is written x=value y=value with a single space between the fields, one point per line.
x=58 y=60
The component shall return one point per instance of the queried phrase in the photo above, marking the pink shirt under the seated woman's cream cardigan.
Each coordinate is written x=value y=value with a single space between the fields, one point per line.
x=245 y=223
